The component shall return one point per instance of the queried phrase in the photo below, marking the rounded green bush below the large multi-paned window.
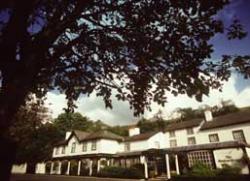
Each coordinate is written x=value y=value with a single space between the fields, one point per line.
x=201 y=169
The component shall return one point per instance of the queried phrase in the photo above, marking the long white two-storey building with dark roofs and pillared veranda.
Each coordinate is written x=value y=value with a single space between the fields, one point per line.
x=218 y=141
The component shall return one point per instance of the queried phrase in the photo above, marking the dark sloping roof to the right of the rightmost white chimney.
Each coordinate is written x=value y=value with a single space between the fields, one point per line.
x=228 y=120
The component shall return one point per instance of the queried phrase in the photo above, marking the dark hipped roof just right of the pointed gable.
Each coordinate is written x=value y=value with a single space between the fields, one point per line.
x=103 y=134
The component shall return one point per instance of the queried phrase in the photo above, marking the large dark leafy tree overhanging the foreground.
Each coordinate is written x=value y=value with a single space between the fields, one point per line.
x=140 y=48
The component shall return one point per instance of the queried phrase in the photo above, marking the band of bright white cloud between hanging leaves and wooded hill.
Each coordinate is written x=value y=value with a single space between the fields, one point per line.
x=94 y=108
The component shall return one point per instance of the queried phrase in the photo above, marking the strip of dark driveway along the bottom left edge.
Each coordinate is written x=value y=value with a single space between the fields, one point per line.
x=31 y=177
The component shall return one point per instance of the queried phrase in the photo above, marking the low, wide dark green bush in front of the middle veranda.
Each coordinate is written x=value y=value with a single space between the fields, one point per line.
x=119 y=172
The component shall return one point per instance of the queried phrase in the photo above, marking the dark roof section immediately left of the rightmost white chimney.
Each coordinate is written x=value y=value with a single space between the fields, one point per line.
x=184 y=124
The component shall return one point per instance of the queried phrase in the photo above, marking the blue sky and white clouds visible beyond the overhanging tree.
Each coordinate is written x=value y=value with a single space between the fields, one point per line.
x=236 y=89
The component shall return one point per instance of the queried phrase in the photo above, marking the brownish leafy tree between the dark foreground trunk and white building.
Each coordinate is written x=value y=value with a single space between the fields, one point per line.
x=32 y=126
